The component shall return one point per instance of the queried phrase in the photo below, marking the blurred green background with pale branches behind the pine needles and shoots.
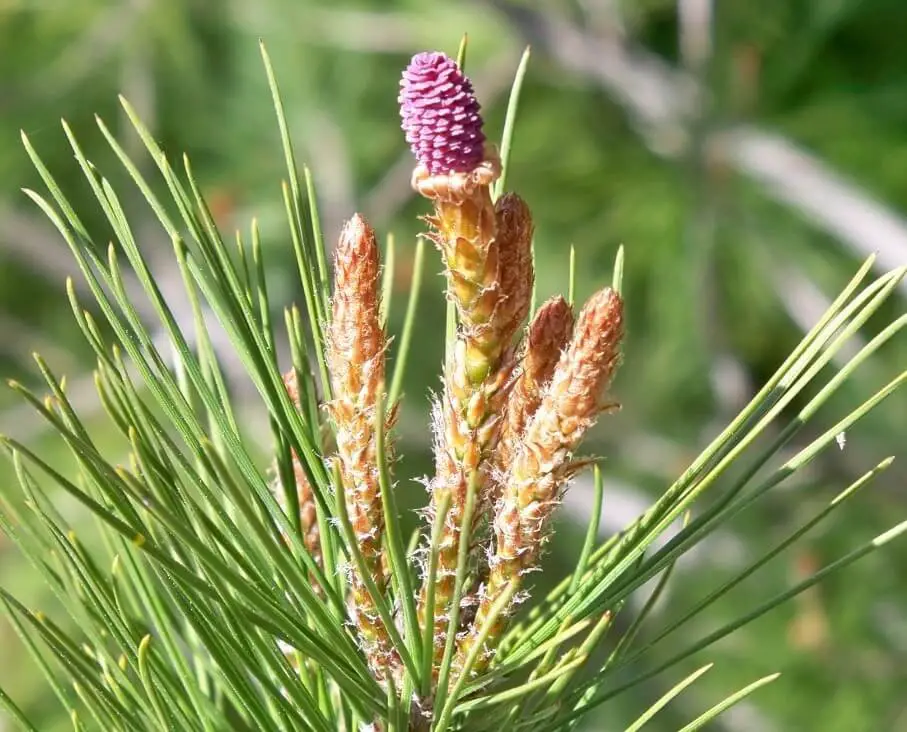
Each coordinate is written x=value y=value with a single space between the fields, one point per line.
x=747 y=155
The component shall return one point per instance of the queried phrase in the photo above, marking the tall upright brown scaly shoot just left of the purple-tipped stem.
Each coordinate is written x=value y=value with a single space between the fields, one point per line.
x=355 y=354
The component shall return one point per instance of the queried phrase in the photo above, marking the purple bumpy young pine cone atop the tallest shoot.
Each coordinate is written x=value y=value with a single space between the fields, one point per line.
x=441 y=115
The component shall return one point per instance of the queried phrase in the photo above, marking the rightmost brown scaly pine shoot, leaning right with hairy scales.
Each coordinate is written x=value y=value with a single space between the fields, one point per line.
x=541 y=466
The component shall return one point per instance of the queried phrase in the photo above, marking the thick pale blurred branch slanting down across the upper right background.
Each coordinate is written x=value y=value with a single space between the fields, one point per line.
x=661 y=100
